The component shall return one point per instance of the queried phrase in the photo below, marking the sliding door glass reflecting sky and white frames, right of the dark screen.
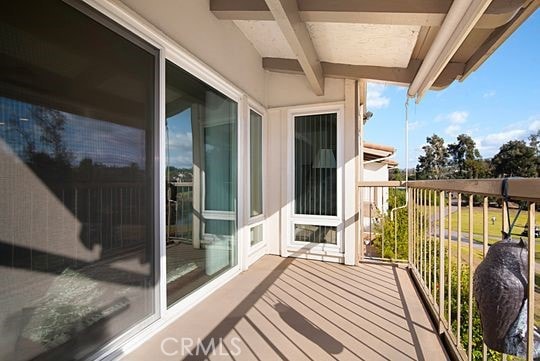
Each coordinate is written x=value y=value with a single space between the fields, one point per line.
x=201 y=183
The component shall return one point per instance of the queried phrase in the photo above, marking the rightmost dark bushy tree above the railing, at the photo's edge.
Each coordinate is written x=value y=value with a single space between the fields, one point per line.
x=515 y=159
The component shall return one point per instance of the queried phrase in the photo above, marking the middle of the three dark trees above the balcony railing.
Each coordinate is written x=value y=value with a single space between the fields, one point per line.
x=465 y=159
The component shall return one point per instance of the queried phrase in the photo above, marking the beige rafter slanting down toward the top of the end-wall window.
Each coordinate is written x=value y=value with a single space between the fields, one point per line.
x=285 y=13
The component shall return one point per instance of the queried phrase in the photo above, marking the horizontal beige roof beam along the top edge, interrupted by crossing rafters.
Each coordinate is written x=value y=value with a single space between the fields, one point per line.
x=417 y=12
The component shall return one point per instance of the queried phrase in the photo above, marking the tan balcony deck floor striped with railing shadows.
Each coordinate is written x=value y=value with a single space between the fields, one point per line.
x=293 y=309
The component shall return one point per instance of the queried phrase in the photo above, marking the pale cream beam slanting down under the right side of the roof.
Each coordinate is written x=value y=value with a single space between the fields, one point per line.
x=458 y=23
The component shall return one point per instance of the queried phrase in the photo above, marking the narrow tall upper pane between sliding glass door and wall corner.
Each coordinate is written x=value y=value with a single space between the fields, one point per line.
x=255 y=148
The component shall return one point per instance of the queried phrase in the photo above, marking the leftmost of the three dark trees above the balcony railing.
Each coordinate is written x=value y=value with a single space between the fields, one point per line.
x=432 y=165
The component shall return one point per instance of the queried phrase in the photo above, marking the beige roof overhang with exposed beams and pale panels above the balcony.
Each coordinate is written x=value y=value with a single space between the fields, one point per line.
x=422 y=44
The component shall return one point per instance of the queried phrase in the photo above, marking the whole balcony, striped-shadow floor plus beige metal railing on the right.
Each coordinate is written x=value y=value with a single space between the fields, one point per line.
x=411 y=300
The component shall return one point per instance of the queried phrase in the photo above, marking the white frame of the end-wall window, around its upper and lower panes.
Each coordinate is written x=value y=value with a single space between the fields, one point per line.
x=332 y=221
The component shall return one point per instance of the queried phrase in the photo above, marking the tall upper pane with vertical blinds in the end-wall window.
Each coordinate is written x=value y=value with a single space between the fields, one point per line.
x=315 y=164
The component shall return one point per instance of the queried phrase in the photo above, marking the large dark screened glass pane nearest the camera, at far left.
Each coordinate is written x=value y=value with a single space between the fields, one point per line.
x=76 y=194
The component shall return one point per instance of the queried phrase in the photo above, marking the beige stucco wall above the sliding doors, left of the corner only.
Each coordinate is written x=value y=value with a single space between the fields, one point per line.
x=217 y=43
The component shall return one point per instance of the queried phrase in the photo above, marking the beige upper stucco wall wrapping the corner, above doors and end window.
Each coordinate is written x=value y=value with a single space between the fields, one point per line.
x=221 y=45
